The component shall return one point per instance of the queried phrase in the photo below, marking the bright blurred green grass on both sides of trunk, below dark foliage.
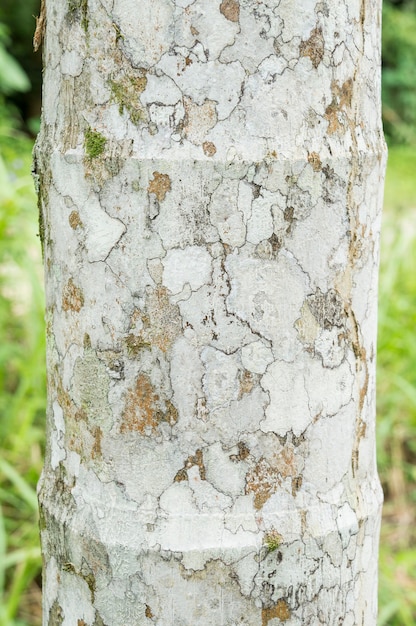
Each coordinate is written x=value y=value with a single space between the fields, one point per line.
x=22 y=390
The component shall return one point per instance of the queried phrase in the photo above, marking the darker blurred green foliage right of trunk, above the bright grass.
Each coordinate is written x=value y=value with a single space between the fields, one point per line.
x=399 y=72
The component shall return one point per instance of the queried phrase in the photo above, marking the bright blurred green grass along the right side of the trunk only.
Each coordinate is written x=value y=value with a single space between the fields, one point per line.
x=396 y=392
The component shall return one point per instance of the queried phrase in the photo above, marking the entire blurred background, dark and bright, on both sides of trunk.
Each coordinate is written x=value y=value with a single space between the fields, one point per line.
x=22 y=346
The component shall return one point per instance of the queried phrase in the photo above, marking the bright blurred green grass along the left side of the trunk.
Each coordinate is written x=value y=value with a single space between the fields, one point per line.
x=22 y=377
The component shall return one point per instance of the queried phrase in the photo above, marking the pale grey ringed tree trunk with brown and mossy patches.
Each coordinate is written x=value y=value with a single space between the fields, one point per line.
x=210 y=192
